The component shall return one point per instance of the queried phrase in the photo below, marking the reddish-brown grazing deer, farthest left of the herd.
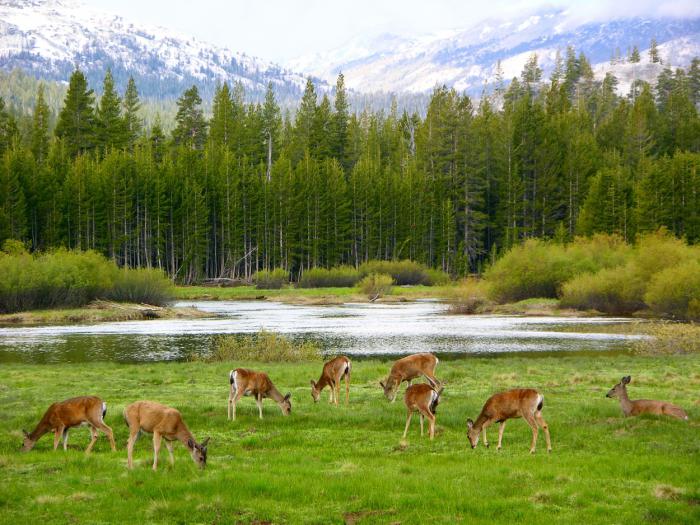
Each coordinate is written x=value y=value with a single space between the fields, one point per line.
x=61 y=417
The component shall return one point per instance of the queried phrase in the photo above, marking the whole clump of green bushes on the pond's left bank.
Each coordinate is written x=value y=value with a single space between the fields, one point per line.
x=64 y=278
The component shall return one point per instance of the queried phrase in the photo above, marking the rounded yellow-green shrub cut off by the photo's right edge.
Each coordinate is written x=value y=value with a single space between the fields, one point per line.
x=675 y=291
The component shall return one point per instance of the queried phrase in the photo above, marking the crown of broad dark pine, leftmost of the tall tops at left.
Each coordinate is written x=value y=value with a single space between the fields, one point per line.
x=76 y=121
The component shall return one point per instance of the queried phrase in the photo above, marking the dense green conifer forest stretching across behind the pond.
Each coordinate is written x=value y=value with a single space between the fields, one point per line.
x=249 y=189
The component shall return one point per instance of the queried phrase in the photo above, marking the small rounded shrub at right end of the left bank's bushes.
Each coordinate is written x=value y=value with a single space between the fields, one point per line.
x=143 y=285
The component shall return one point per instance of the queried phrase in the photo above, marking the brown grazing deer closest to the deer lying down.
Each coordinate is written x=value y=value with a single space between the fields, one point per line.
x=519 y=402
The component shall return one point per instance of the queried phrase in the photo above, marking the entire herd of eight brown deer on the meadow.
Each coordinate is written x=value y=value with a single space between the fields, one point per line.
x=166 y=422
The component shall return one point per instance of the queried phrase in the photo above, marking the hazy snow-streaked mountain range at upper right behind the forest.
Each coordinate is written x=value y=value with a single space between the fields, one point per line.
x=467 y=59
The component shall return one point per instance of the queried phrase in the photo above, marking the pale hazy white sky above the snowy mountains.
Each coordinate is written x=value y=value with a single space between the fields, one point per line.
x=279 y=30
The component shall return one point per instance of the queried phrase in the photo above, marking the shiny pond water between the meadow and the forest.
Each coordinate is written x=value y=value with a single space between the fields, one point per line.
x=354 y=329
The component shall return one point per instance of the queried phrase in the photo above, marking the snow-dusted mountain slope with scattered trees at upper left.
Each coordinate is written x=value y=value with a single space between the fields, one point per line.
x=48 y=38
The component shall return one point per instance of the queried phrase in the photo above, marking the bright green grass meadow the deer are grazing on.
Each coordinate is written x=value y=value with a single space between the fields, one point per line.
x=329 y=465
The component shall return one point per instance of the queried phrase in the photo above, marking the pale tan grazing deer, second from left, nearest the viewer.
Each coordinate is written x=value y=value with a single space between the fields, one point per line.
x=162 y=422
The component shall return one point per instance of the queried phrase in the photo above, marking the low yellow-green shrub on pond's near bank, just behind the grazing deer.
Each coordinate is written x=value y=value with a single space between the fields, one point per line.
x=264 y=346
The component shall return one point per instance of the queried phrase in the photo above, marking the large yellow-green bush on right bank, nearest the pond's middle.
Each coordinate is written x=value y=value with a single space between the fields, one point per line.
x=539 y=268
